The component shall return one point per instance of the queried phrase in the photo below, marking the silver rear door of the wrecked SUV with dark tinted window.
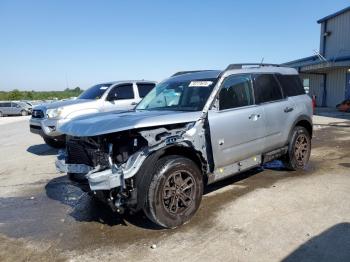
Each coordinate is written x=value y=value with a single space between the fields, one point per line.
x=277 y=108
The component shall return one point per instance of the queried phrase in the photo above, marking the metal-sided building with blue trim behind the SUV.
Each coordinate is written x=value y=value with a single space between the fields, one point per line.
x=327 y=73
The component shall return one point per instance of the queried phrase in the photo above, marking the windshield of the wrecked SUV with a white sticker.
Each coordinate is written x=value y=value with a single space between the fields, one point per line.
x=187 y=95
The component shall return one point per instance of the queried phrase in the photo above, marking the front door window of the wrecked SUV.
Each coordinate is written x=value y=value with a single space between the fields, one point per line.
x=236 y=91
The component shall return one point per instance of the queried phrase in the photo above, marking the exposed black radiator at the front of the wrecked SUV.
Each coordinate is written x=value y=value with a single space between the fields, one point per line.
x=85 y=152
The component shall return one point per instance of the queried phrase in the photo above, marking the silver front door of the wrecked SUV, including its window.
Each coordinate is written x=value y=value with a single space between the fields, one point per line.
x=237 y=127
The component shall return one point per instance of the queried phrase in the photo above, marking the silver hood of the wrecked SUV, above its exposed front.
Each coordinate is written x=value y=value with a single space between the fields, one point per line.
x=98 y=124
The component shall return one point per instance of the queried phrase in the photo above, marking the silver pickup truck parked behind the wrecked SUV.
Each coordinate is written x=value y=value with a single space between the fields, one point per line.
x=120 y=95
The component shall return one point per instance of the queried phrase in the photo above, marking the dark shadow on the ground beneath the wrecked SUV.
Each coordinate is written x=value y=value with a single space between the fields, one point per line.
x=86 y=208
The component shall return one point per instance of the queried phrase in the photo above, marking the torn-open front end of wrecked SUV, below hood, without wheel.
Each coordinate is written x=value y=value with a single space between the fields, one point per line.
x=112 y=161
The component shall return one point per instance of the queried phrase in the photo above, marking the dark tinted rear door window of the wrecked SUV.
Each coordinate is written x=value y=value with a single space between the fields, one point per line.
x=266 y=88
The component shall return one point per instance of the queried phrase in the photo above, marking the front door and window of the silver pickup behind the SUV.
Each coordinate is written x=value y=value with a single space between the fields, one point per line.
x=120 y=97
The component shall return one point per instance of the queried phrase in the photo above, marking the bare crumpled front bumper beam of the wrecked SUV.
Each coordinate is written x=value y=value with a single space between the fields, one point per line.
x=98 y=180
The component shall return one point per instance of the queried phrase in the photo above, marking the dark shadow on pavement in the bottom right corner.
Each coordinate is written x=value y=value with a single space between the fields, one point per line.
x=331 y=245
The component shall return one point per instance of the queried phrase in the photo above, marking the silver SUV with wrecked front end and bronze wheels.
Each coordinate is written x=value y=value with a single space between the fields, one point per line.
x=192 y=129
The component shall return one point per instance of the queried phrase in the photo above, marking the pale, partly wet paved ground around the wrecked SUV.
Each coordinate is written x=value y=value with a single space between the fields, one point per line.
x=267 y=214
